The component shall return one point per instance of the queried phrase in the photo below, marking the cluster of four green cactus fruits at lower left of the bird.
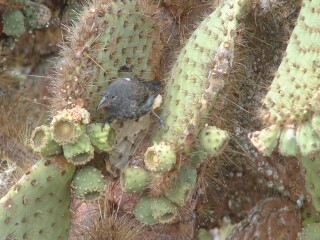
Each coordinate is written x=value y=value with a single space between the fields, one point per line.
x=71 y=133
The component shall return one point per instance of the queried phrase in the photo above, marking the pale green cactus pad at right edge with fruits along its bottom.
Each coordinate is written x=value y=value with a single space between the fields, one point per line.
x=293 y=99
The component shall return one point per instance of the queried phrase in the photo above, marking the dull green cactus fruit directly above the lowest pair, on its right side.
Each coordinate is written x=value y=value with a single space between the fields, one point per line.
x=182 y=186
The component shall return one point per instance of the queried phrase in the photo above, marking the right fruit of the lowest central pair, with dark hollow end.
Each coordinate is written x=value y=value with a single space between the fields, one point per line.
x=163 y=210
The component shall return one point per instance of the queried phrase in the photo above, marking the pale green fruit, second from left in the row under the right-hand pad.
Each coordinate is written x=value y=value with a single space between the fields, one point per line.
x=288 y=146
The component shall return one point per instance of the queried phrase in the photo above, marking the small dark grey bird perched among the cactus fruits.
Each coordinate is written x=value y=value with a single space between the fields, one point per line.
x=129 y=98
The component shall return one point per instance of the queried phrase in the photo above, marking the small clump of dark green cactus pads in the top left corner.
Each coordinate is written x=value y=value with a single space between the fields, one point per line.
x=28 y=15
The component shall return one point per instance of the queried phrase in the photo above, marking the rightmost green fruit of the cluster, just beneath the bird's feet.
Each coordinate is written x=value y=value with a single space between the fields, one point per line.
x=101 y=137
